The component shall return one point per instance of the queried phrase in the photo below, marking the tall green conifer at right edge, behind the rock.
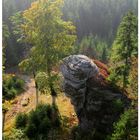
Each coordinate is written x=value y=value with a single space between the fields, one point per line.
x=125 y=47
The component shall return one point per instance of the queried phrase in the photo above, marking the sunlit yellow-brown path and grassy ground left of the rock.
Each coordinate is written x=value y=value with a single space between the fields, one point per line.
x=16 y=106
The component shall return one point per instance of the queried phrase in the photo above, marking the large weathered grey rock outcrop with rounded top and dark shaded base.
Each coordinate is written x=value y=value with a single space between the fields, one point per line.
x=97 y=106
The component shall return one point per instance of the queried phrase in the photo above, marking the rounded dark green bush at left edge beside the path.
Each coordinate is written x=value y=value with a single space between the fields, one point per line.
x=12 y=86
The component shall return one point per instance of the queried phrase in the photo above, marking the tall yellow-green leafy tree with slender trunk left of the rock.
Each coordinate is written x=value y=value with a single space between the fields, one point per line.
x=45 y=29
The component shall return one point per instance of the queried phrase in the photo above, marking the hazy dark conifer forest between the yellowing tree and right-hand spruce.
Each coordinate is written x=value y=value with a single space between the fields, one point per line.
x=100 y=17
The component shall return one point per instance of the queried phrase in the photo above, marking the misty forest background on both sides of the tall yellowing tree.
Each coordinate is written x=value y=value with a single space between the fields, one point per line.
x=95 y=20
